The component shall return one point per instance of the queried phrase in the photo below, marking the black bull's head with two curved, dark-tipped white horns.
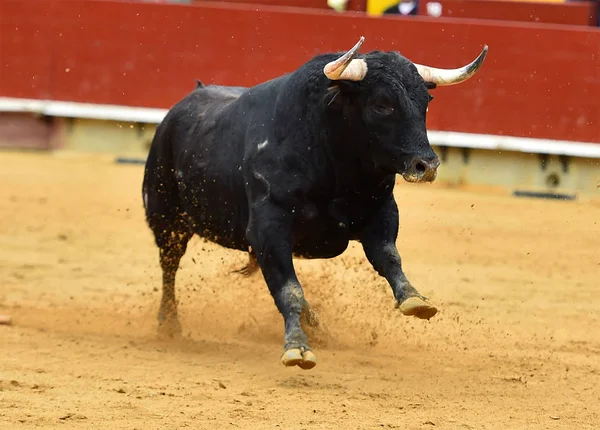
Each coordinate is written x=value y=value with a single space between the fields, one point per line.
x=390 y=93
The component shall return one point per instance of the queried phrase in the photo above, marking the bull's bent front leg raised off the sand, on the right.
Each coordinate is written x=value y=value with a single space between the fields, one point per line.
x=379 y=243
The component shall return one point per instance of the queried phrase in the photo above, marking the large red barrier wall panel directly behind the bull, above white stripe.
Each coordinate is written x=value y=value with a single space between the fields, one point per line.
x=538 y=80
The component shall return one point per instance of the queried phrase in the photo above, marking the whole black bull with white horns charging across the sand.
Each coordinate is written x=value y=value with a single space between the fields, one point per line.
x=296 y=166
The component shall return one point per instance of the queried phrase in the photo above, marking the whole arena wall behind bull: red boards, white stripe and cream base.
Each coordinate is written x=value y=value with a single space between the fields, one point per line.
x=119 y=65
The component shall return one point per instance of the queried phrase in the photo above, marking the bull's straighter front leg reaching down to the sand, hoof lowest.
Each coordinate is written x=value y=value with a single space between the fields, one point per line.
x=269 y=234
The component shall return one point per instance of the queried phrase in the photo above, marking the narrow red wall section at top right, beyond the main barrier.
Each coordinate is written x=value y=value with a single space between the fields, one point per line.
x=572 y=13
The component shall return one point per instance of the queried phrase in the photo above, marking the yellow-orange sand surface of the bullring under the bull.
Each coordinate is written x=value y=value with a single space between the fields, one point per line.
x=516 y=344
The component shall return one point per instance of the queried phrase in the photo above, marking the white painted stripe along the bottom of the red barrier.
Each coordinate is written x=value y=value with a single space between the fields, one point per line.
x=437 y=138
